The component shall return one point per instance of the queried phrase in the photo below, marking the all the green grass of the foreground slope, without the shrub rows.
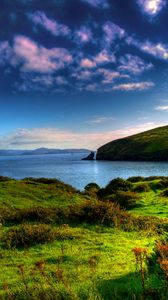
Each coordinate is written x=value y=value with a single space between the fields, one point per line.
x=83 y=260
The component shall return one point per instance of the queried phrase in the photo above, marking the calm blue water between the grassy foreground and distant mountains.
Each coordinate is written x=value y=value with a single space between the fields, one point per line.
x=70 y=169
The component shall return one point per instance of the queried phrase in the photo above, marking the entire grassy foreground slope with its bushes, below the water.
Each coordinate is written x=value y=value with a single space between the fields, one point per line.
x=103 y=243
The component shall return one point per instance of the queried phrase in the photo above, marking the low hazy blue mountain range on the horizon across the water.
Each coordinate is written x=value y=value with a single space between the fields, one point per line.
x=41 y=151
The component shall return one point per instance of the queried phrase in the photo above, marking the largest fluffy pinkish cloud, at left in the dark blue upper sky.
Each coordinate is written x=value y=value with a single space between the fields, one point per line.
x=35 y=58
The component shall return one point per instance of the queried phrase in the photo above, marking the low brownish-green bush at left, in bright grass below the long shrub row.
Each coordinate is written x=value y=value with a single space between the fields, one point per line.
x=27 y=235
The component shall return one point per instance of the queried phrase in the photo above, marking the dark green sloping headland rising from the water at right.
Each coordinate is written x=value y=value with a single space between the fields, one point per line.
x=151 y=145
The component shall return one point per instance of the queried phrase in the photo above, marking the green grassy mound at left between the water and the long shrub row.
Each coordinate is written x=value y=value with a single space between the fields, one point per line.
x=27 y=193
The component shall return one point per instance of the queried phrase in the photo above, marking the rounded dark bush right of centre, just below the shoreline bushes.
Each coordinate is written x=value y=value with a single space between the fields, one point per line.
x=126 y=200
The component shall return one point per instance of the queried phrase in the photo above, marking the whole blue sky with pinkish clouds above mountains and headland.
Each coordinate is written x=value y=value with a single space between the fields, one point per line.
x=81 y=73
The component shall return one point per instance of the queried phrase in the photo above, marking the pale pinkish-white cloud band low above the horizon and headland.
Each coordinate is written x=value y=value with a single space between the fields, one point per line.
x=55 y=138
